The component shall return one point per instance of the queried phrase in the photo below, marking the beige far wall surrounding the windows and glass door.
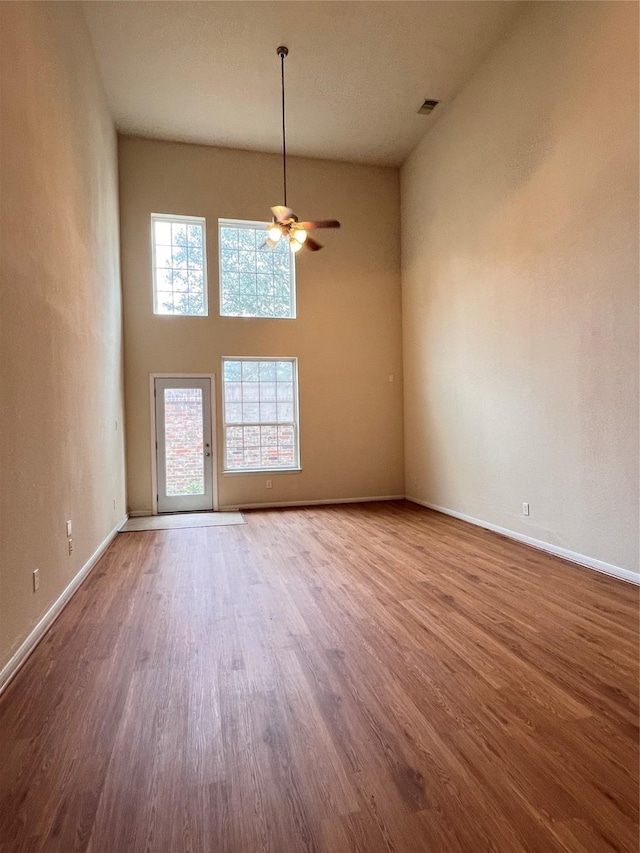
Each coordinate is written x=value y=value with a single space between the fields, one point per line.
x=347 y=336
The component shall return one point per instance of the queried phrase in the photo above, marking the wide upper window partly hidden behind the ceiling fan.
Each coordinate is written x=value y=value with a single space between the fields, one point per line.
x=255 y=281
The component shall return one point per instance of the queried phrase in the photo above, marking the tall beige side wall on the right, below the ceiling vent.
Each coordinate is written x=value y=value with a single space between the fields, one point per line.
x=520 y=287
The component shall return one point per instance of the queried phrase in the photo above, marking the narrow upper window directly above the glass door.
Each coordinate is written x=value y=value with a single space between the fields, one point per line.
x=179 y=265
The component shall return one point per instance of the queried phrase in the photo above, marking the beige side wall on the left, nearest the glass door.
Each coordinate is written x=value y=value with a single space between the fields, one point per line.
x=60 y=335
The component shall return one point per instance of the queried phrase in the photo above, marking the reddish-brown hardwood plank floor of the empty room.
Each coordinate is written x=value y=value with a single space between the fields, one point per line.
x=356 y=678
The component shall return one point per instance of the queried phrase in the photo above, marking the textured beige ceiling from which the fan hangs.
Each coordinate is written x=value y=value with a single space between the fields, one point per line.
x=356 y=73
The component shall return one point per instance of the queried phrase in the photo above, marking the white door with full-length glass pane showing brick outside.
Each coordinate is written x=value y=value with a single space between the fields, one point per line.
x=184 y=454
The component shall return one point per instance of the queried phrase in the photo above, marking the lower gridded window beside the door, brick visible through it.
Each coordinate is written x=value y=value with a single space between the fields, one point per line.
x=260 y=414
